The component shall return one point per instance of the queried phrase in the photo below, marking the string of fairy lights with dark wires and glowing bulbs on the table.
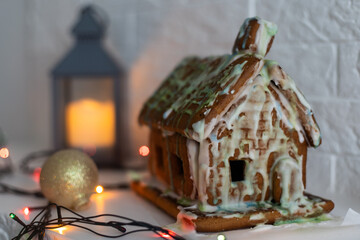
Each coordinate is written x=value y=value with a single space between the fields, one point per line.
x=43 y=220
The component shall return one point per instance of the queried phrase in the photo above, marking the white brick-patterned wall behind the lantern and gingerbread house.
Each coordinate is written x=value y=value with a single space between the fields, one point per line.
x=318 y=44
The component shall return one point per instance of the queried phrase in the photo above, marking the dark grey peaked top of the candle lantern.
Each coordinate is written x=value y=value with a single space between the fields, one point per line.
x=88 y=57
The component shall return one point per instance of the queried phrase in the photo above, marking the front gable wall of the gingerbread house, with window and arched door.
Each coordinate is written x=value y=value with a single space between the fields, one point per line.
x=257 y=150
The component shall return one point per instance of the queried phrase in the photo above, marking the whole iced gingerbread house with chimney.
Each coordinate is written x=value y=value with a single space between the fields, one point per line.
x=233 y=130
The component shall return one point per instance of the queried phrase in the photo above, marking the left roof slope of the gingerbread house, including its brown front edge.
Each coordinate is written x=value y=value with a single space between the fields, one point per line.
x=198 y=89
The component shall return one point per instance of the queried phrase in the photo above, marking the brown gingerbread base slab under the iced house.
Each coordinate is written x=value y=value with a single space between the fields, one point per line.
x=204 y=223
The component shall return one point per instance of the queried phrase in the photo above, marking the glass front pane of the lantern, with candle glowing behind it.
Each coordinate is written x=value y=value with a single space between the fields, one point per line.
x=90 y=114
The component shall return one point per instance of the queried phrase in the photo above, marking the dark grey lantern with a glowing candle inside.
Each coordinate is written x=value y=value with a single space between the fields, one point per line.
x=87 y=98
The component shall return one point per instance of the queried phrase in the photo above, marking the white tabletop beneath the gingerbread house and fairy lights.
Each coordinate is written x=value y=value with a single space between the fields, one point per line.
x=127 y=203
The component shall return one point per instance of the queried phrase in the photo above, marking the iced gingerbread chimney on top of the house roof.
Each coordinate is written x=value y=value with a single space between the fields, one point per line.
x=256 y=36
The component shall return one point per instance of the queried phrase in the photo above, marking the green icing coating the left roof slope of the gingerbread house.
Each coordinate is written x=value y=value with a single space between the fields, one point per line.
x=194 y=84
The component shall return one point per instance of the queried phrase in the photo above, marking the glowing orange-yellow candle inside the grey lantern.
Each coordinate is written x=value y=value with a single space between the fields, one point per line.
x=90 y=123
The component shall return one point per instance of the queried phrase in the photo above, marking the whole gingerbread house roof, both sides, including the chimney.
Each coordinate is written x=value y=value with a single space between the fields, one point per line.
x=201 y=90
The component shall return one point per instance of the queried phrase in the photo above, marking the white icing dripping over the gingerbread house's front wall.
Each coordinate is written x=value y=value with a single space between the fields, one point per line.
x=257 y=105
